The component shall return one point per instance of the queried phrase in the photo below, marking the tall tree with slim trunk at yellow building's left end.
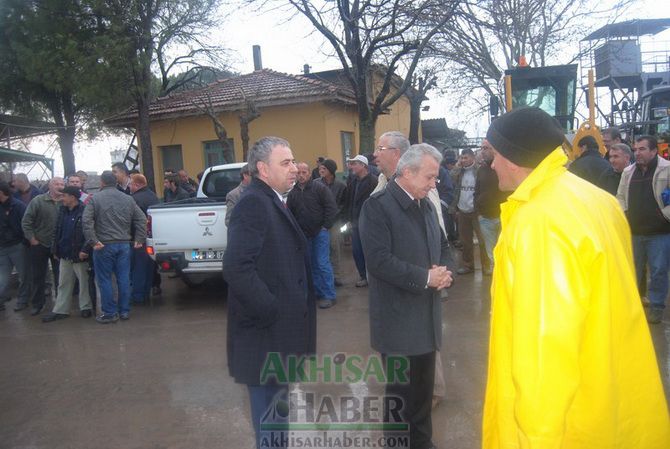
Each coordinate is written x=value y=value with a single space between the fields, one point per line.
x=168 y=34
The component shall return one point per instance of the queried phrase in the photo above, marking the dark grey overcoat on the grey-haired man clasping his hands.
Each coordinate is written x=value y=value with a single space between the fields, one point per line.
x=401 y=242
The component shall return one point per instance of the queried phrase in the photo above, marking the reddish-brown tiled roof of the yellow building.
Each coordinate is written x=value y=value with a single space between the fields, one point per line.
x=263 y=87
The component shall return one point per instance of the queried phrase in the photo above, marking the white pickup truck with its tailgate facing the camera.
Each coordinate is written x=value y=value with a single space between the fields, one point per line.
x=189 y=237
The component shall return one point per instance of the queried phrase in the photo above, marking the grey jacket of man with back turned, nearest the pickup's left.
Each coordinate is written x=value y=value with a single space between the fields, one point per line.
x=113 y=217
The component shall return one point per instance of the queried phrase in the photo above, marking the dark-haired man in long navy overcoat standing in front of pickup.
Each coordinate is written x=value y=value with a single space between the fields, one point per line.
x=271 y=305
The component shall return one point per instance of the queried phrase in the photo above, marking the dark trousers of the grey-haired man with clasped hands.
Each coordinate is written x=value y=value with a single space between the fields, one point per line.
x=417 y=399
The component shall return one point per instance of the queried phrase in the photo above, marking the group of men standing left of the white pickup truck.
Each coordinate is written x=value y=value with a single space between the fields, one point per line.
x=89 y=240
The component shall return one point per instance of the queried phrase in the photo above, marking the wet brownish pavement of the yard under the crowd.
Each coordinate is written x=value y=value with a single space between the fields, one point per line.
x=160 y=379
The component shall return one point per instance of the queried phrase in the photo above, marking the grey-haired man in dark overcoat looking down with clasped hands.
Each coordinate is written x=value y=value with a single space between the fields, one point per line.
x=406 y=256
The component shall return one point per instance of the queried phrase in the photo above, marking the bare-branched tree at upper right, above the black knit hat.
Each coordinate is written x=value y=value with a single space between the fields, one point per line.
x=489 y=36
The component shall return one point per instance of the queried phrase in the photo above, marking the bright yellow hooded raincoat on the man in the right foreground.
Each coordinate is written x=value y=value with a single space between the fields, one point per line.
x=571 y=362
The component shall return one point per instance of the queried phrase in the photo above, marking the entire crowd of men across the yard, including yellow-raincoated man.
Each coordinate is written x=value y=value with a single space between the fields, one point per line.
x=571 y=362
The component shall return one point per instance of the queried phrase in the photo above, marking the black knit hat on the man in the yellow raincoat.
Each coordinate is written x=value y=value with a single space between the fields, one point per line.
x=525 y=136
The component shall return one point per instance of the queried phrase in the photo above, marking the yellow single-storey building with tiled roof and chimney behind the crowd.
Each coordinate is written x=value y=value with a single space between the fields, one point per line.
x=317 y=115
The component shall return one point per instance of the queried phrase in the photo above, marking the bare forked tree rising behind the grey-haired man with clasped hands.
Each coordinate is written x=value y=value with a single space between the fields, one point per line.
x=376 y=37
